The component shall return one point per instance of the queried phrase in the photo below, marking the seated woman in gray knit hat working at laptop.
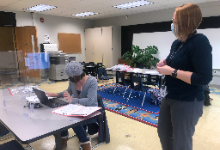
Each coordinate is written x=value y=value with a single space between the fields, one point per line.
x=84 y=89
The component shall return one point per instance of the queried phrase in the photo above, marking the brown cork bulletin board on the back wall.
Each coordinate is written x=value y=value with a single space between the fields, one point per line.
x=69 y=43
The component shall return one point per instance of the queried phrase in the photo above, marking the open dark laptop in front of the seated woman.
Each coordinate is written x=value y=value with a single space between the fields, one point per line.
x=53 y=103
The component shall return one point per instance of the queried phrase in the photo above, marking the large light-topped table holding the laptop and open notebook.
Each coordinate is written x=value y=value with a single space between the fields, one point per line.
x=29 y=127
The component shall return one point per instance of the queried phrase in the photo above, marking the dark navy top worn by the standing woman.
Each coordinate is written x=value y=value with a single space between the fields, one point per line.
x=195 y=56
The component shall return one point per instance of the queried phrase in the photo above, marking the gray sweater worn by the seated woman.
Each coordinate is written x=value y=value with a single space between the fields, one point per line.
x=88 y=95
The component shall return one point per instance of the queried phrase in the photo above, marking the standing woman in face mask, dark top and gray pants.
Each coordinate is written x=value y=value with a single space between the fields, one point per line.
x=187 y=68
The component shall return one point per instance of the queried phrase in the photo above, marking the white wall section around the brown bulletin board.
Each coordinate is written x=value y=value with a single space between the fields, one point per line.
x=53 y=25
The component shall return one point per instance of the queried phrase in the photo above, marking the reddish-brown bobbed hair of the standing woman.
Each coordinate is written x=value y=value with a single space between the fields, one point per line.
x=188 y=18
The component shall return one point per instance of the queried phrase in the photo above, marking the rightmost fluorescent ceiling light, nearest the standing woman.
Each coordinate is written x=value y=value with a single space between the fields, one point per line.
x=133 y=4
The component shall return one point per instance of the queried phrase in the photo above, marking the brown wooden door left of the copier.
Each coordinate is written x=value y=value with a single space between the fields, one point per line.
x=26 y=42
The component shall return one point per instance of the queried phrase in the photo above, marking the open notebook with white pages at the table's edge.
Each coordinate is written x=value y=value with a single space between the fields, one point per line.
x=75 y=110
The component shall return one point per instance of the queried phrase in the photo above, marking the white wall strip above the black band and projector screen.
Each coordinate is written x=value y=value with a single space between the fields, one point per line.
x=208 y=9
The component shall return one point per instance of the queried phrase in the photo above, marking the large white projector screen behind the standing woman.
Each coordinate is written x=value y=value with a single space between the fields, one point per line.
x=164 y=40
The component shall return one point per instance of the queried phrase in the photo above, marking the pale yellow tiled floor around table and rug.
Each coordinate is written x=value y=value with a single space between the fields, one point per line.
x=128 y=134
